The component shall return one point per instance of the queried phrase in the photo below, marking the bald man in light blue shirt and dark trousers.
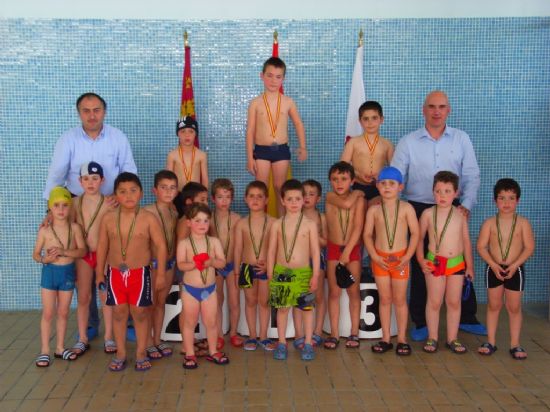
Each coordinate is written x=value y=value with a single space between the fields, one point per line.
x=419 y=156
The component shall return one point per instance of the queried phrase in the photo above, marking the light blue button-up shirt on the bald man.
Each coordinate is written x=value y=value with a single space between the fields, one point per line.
x=419 y=157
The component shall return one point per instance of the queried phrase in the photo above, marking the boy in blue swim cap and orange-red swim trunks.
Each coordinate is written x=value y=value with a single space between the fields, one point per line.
x=386 y=238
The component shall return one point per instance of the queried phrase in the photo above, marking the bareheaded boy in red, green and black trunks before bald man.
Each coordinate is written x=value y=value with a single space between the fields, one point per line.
x=447 y=261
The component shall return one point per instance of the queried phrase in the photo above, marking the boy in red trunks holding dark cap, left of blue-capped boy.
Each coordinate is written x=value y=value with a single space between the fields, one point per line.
x=343 y=237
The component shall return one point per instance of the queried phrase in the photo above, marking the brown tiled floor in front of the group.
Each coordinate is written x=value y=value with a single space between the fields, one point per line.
x=342 y=380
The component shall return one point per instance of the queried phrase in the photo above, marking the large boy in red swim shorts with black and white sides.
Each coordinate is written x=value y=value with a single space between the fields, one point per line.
x=126 y=237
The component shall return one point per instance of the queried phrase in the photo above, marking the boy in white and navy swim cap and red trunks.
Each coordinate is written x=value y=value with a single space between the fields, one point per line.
x=88 y=210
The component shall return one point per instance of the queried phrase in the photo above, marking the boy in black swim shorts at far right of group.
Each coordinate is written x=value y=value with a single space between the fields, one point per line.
x=505 y=243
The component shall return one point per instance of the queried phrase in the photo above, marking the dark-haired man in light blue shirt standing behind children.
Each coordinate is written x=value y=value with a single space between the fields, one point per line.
x=92 y=141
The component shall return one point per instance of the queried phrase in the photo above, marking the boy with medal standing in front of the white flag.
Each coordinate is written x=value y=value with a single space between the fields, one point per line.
x=370 y=152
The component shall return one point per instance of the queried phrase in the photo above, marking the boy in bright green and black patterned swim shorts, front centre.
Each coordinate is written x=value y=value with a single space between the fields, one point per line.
x=293 y=244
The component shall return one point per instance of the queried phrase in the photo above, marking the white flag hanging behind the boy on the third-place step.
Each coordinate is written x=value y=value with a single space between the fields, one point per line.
x=356 y=95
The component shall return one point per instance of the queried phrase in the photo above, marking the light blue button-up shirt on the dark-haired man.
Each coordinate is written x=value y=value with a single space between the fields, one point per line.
x=110 y=149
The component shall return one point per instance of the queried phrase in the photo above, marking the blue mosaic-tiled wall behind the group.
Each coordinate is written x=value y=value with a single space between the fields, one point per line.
x=496 y=72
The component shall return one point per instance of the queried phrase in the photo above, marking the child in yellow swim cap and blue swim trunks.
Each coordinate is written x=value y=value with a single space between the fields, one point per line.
x=57 y=247
